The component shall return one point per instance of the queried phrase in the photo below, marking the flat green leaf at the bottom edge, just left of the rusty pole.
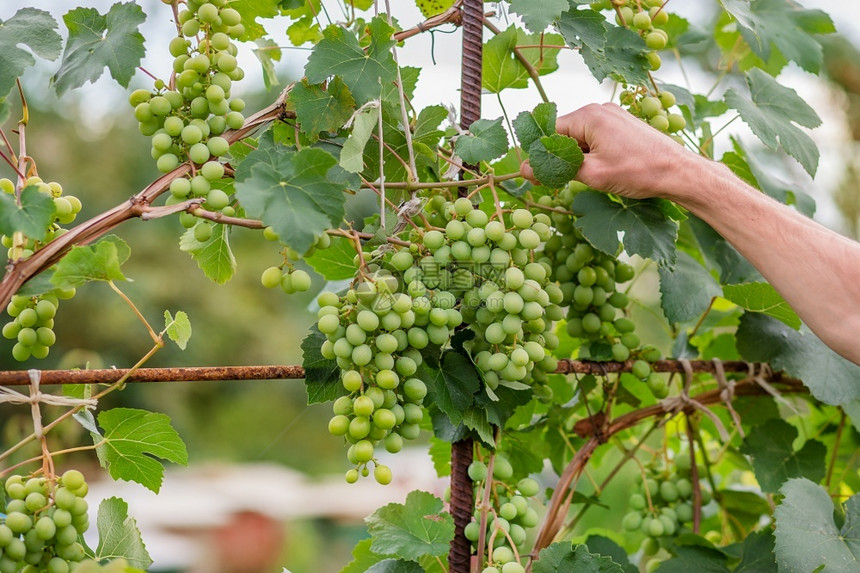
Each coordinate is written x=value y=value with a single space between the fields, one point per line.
x=410 y=530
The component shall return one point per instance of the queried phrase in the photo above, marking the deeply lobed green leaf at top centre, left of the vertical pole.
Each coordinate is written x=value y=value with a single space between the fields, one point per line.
x=339 y=53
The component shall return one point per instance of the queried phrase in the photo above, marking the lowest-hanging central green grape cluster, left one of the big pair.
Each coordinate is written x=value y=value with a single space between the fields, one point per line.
x=376 y=332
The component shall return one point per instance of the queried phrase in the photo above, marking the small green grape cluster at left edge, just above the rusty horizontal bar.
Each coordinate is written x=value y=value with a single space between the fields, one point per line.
x=32 y=324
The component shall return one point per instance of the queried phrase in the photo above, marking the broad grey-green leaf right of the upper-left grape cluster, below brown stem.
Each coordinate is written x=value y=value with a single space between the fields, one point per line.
x=292 y=192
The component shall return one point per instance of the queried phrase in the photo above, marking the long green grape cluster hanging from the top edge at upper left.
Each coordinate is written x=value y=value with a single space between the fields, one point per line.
x=186 y=119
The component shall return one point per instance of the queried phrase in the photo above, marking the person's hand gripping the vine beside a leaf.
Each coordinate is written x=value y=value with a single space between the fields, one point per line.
x=624 y=155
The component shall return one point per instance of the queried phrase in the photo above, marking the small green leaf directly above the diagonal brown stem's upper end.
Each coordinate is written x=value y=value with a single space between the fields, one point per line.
x=319 y=109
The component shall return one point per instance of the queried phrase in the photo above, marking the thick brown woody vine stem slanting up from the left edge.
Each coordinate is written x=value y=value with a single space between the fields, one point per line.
x=19 y=272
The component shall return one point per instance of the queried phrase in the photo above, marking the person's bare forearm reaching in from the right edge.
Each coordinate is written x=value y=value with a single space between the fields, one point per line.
x=816 y=270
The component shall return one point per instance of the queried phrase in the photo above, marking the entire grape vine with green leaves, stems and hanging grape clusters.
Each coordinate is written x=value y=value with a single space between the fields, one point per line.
x=475 y=309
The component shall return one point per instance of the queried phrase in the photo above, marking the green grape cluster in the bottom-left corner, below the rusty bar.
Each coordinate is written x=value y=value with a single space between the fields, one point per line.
x=43 y=523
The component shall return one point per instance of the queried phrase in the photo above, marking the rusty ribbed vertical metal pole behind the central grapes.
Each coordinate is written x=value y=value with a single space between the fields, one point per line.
x=462 y=499
